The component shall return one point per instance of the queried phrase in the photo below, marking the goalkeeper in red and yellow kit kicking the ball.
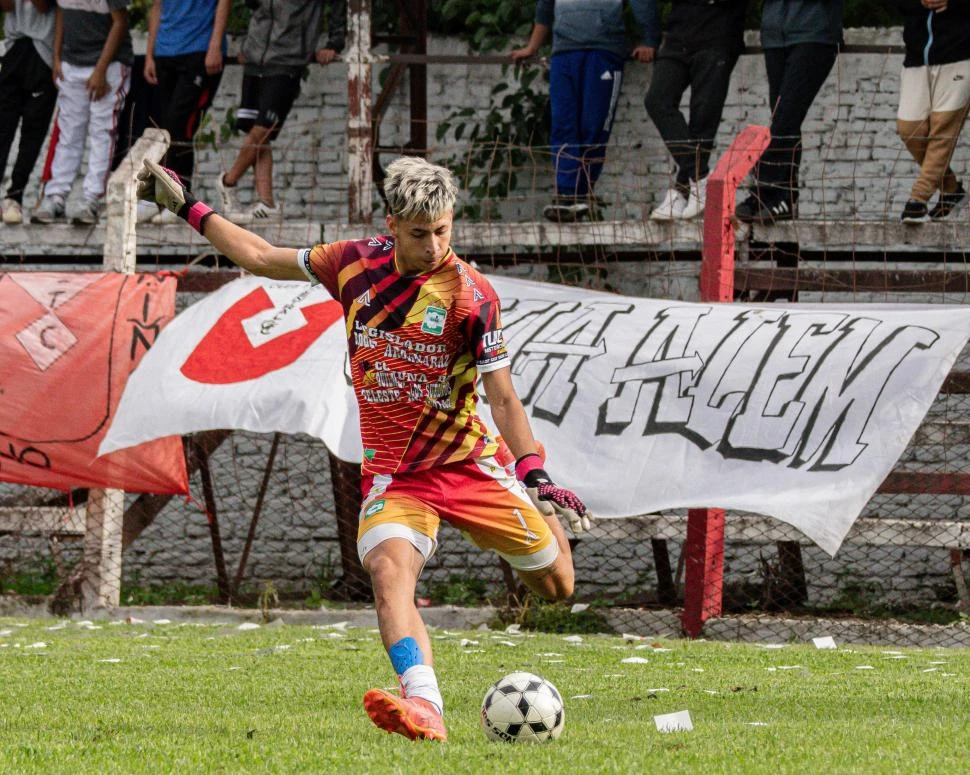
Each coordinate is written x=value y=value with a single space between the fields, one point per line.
x=422 y=325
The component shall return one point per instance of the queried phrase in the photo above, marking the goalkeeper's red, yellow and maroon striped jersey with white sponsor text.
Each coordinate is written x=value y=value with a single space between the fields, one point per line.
x=417 y=344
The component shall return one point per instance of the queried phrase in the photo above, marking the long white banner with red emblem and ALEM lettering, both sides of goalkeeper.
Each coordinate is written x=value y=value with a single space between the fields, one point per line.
x=796 y=412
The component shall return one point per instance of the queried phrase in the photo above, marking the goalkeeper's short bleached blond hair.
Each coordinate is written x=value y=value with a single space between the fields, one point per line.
x=416 y=189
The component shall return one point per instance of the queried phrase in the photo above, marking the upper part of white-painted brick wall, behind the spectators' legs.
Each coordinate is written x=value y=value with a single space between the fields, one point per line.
x=854 y=165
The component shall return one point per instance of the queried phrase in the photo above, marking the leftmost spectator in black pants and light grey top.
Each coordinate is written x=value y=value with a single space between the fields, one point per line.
x=27 y=93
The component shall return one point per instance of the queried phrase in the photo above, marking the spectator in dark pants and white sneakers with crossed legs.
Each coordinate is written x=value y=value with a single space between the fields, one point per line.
x=701 y=45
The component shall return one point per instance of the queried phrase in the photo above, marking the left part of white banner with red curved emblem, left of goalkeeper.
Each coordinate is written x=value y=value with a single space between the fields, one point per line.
x=257 y=355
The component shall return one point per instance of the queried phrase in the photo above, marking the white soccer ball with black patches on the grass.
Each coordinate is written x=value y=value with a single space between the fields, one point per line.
x=522 y=708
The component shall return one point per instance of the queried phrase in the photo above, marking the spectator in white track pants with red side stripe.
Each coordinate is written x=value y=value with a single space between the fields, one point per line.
x=92 y=69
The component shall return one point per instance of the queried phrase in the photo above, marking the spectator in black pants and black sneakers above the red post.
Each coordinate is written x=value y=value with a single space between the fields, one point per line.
x=801 y=39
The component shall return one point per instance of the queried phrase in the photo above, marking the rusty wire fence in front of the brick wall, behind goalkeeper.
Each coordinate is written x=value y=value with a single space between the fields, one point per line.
x=273 y=517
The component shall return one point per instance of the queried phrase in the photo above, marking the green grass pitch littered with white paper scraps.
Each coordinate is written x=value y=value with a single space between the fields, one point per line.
x=113 y=697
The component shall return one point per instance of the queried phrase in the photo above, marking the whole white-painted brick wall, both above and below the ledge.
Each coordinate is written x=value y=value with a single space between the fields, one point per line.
x=854 y=166
